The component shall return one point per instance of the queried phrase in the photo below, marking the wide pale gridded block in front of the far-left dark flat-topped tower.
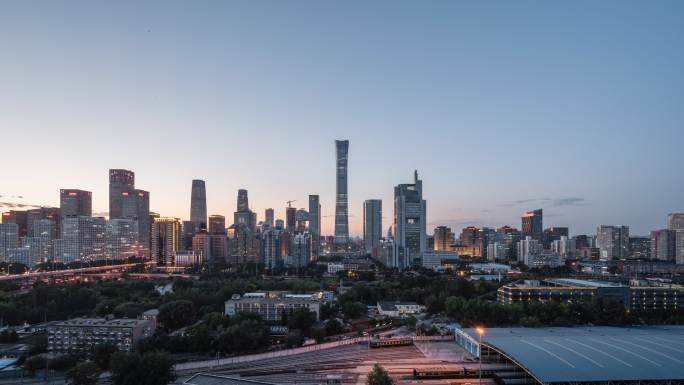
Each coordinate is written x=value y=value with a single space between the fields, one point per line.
x=83 y=239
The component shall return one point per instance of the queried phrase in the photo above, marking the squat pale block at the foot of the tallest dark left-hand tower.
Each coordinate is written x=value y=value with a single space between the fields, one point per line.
x=121 y=239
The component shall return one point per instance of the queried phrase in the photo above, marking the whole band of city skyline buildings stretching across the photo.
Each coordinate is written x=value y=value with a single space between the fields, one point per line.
x=72 y=233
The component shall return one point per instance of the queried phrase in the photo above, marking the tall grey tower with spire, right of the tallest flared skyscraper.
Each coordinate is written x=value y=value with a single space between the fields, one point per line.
x=409 y=223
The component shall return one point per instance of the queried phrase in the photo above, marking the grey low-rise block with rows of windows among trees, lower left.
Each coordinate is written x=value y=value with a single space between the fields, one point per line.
x=79 y=335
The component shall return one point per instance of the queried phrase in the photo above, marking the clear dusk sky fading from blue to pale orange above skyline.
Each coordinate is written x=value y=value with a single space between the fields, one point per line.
x=574 y=107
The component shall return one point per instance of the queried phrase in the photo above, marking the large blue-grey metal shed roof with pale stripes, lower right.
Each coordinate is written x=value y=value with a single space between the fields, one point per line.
x=590 y=354
